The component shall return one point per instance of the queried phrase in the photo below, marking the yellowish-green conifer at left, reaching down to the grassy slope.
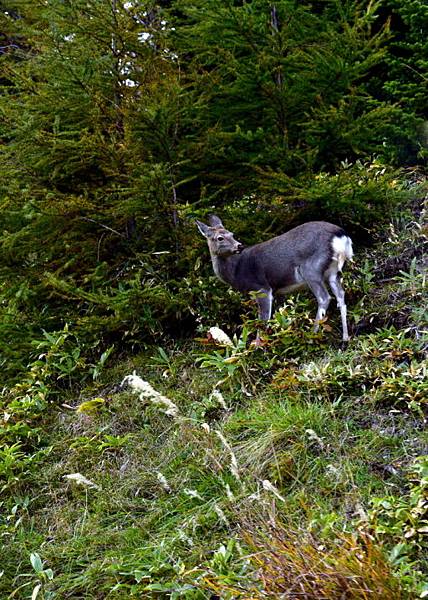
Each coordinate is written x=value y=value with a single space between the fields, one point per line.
x=88 y=157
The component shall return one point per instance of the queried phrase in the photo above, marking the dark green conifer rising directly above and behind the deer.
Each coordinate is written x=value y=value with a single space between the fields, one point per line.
x=284 y=85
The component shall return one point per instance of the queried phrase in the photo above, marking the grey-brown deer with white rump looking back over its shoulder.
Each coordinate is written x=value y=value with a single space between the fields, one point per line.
x=307 y=256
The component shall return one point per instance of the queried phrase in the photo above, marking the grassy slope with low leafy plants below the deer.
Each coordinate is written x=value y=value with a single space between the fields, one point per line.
x=300 y=469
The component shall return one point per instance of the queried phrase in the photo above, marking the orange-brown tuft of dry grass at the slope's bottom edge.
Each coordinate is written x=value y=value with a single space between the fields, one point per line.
x=292 y=563
